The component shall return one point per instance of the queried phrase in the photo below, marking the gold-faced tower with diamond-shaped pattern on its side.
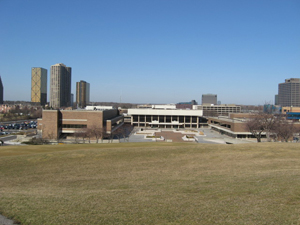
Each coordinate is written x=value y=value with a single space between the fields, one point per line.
x=39 y=85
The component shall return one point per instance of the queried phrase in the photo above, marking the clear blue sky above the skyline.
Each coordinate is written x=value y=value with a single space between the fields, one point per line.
x=153 y=51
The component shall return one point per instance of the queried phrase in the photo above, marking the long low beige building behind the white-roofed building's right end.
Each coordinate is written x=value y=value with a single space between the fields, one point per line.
x=218 y=110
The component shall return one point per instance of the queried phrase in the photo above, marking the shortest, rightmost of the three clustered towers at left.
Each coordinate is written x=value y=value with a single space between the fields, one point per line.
x=82 y=93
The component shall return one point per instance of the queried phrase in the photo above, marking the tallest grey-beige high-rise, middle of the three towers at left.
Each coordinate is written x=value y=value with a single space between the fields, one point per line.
x=60 y=86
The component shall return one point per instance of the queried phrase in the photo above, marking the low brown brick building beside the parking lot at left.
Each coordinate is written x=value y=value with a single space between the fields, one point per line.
x=56 y=124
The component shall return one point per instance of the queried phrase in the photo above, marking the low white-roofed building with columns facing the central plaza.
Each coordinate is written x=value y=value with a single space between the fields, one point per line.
x=166 y=118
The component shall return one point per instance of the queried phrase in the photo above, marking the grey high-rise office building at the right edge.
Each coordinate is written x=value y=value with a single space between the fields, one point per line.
x=289 y=92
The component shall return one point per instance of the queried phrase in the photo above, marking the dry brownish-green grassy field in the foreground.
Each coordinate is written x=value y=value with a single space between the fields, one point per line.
x=151 y=183
